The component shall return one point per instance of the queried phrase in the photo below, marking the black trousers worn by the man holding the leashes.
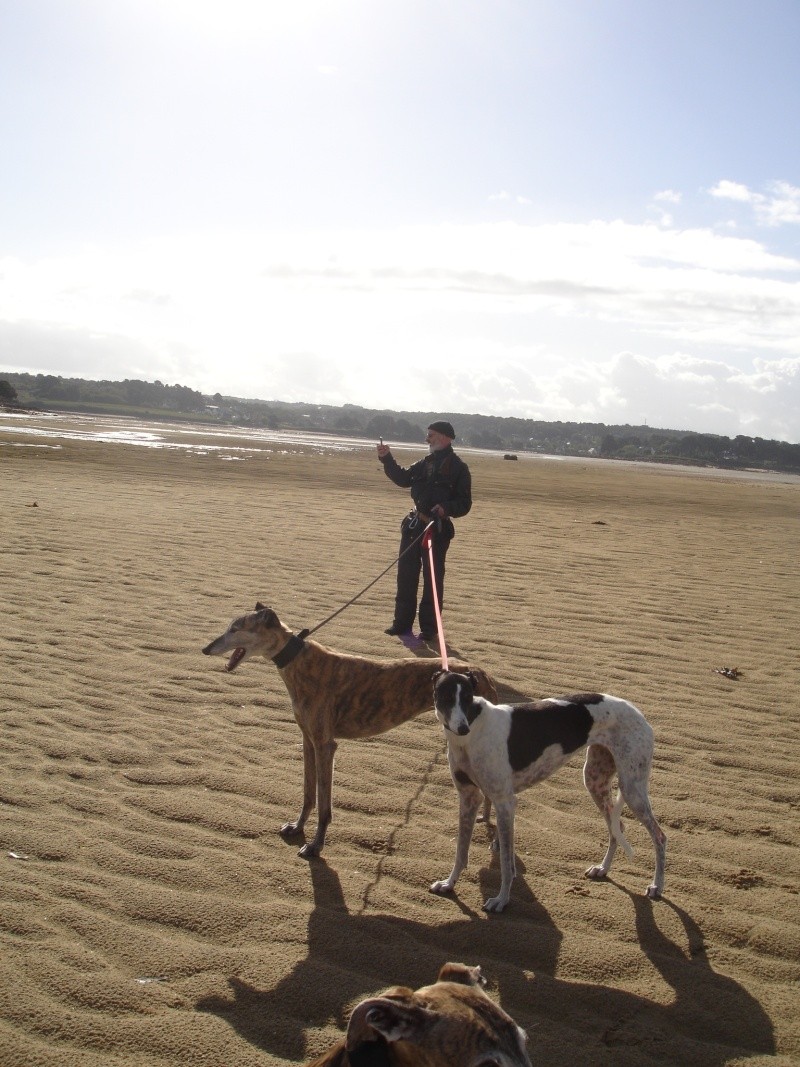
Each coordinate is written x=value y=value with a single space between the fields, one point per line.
x=408 y=574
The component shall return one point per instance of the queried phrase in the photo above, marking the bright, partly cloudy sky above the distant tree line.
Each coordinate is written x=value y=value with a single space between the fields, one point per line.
x=557 y=210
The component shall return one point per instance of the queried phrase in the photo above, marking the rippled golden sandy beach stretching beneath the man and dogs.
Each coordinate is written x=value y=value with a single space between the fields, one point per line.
x=151 y=915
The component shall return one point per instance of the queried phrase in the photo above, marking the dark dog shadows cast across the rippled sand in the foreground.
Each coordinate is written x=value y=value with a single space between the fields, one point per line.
x=711 y=1020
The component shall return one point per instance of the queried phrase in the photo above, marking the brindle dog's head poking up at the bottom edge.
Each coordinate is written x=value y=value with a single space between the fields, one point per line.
x=452 y=1024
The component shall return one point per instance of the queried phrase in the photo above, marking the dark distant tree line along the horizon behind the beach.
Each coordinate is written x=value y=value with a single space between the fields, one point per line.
x=508 y=435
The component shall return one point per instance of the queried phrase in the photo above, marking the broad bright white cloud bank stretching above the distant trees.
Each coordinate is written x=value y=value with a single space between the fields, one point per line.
x=609 y=322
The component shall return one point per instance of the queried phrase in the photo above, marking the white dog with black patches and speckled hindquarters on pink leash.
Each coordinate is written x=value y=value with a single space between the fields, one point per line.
x=503 y=750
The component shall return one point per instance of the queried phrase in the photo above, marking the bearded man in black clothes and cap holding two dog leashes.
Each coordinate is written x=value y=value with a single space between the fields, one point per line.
x=442 y=489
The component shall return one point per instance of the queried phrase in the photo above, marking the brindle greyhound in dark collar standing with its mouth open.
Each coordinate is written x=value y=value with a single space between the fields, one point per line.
x=333 y=696
